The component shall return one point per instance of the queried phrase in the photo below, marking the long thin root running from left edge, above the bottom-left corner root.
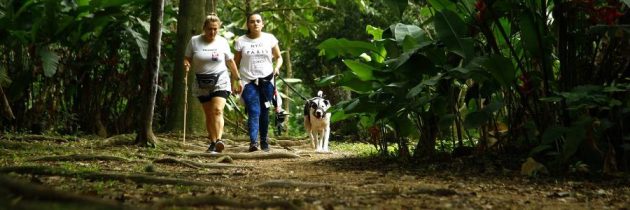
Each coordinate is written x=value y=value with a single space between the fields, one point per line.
x=49 y=171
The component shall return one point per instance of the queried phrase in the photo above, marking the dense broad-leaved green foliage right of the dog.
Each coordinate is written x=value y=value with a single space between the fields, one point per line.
x=480 y=64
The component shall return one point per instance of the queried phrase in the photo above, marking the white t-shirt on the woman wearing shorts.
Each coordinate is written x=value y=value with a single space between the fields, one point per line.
x=208 y=58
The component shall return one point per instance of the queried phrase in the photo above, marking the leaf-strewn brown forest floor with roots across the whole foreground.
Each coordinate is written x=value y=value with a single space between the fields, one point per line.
x=40 y=172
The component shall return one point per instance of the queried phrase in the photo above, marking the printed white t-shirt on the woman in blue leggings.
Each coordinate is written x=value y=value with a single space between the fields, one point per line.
x=257 y=57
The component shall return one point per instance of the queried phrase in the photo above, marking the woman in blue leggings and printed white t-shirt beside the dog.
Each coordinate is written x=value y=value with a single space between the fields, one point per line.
x=256 y=53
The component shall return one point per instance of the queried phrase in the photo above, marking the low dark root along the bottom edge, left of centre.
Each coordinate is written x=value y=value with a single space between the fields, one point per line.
x=212 y=200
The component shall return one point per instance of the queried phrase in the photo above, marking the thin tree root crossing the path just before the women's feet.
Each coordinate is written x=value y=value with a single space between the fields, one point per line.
x=236 y=156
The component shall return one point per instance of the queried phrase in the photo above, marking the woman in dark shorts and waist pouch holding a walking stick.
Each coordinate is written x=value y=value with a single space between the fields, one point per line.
x=210 y=57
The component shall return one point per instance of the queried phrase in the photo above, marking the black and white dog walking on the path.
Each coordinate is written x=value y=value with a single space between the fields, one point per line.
x=317 y=121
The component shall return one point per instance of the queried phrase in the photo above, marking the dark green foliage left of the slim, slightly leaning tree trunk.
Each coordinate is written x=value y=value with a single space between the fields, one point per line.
x=66 y=55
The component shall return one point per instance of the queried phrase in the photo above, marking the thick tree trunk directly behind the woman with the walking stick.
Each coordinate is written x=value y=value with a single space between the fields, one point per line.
x=189 y=23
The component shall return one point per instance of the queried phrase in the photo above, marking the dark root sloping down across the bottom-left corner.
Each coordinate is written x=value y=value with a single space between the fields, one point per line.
x=31 y=191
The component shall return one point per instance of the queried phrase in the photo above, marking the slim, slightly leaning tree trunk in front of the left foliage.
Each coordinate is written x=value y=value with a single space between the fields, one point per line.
x=145 y=135
